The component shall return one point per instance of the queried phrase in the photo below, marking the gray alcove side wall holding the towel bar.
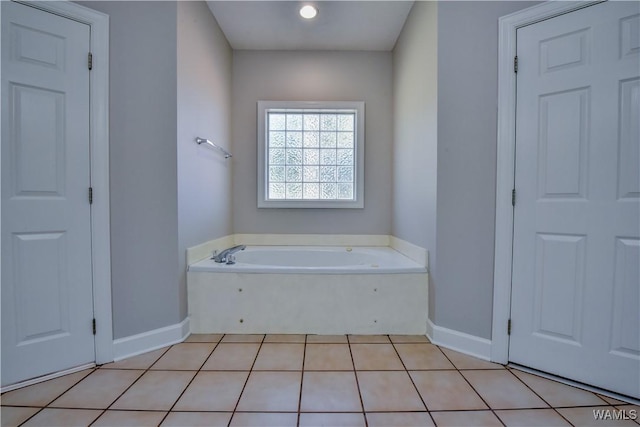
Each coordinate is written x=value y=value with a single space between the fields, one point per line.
x=204 y=104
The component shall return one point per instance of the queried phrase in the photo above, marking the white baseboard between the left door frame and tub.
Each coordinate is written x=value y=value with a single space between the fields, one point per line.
x=151 y=340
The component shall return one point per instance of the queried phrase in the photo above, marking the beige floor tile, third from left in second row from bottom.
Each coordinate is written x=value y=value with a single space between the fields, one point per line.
x=155 y=390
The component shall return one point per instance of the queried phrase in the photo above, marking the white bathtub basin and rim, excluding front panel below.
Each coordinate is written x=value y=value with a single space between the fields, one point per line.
x=314 y=260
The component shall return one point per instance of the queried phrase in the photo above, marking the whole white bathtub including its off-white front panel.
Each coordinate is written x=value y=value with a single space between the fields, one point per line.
x=309 y=290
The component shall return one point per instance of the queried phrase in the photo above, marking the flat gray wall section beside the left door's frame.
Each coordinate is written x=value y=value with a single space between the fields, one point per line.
x=143 y=172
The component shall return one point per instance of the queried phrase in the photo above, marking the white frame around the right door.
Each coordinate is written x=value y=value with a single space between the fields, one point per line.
x=505 y=174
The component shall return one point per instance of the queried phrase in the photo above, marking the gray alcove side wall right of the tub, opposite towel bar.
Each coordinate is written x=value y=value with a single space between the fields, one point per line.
x=415 y=96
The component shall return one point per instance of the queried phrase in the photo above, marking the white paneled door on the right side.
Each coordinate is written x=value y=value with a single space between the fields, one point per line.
x=575 y=285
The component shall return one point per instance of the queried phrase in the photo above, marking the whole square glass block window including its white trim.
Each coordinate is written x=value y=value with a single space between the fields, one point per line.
x=311 y=154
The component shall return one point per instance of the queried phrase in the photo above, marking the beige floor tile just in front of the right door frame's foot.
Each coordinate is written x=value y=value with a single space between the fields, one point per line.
x=502 y=390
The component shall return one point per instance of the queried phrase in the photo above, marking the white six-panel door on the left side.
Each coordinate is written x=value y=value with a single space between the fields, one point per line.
x=47 y=301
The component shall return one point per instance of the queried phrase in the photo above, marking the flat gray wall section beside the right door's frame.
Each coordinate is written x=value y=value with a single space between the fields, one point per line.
x=467 y=122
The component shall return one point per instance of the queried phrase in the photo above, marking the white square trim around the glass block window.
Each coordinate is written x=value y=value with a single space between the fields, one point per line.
x=358 y=202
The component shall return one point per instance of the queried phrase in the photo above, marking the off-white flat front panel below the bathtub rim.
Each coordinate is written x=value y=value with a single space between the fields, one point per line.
x=323 y=304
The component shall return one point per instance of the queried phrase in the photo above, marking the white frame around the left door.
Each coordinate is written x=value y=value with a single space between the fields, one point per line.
x=99 y=162
